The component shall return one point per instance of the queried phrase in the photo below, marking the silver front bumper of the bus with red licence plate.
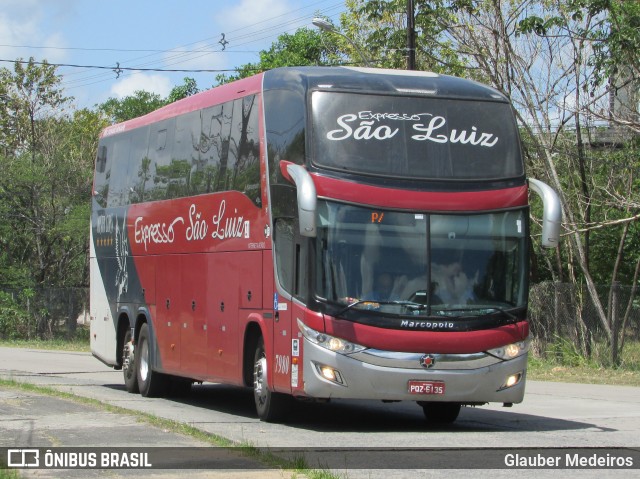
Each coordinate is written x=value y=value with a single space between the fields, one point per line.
x=468 y=379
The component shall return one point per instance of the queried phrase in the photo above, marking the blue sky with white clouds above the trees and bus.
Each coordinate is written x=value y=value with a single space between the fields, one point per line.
x=154 y=34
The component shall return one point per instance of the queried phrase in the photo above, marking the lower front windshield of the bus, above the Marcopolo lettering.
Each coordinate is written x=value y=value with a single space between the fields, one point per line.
x=420 y=264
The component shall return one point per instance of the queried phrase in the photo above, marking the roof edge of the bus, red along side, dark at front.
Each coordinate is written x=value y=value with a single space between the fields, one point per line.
x=366 y=80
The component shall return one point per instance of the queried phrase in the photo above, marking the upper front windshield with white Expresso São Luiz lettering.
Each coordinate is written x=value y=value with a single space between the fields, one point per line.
x=415 y=137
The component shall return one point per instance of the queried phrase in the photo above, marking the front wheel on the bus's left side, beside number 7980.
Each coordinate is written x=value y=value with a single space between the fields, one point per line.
x=270 y=406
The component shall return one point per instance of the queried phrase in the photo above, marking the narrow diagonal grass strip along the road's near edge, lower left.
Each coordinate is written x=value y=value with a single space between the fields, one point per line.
x=245 y=448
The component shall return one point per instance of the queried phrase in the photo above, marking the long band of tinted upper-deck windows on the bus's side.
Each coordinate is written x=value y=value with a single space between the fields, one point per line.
x=215 y=149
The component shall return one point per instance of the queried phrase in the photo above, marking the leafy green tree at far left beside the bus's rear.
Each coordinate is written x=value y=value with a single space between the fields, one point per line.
x=47 y=157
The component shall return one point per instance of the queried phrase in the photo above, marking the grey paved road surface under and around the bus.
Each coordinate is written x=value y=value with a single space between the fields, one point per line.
x=557 y=415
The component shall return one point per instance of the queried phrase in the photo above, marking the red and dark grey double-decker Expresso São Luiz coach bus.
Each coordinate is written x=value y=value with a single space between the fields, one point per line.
x=318 y=233
